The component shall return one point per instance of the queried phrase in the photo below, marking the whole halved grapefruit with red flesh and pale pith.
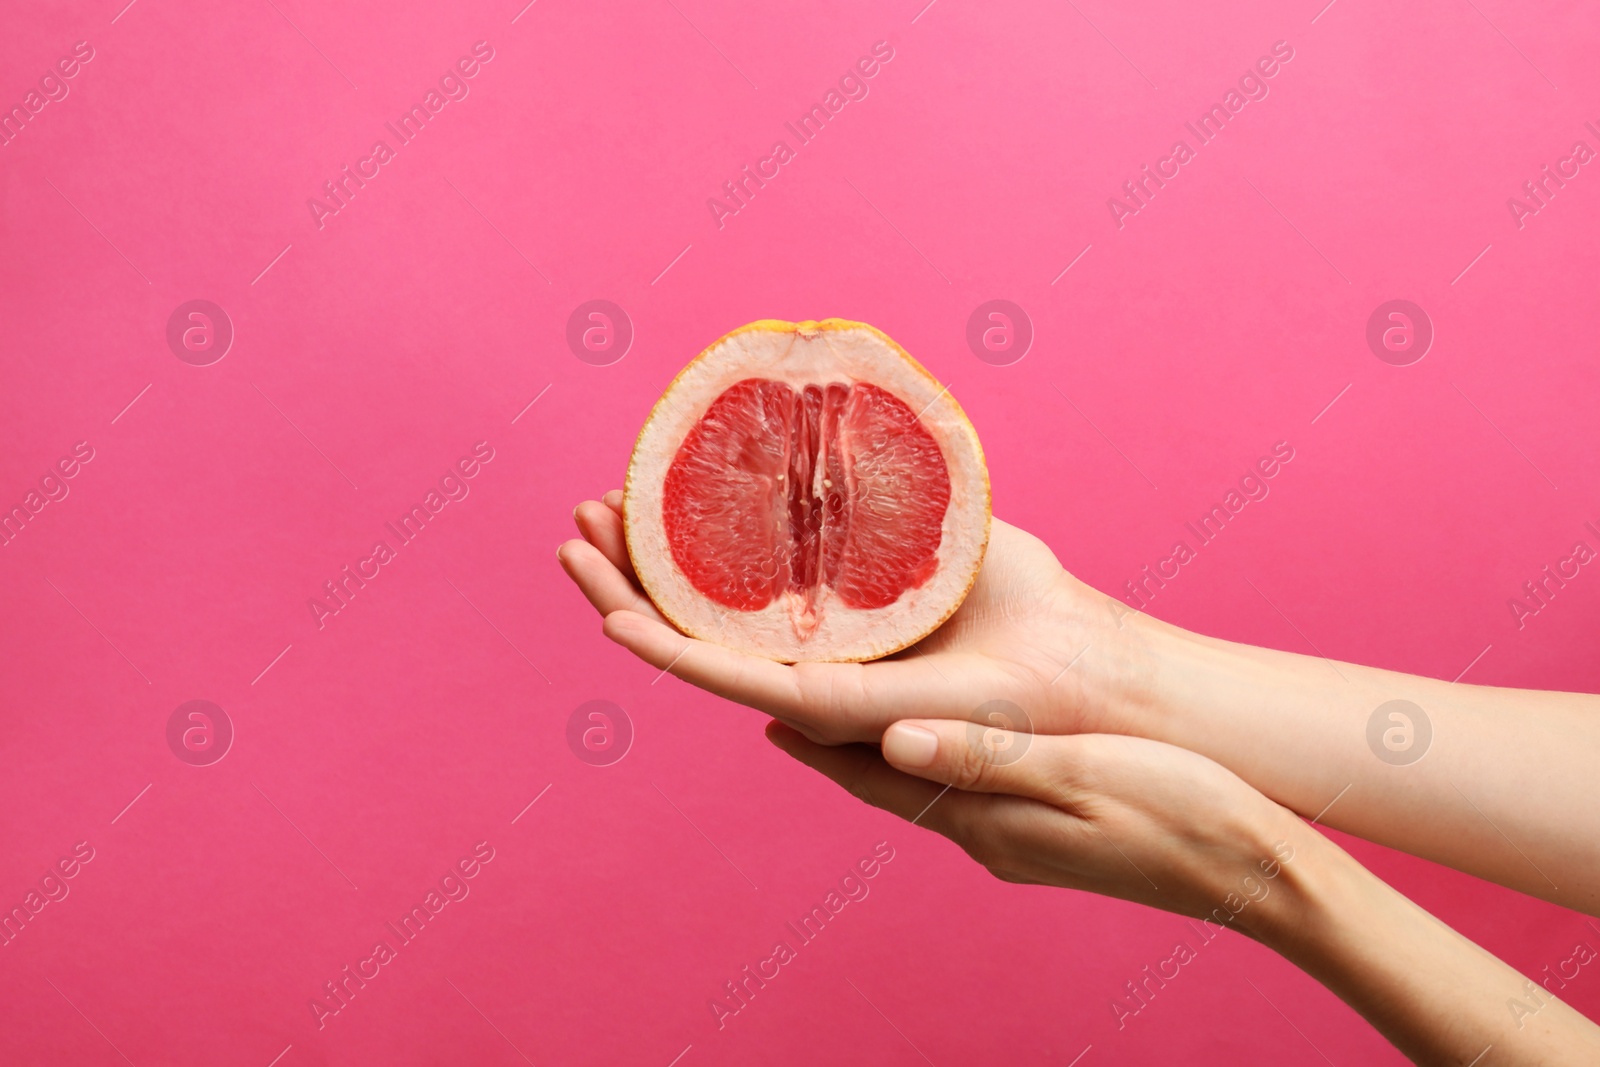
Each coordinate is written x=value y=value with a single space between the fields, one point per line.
x=807 y=492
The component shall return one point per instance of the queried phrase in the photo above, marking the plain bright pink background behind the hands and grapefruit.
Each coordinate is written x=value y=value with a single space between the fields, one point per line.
x=377 y=751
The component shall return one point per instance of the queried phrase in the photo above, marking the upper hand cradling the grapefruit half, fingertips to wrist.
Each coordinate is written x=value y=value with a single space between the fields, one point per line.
x=1028 y=633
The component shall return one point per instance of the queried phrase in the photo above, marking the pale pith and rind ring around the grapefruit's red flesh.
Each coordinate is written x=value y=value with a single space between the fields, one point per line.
x=809 y=353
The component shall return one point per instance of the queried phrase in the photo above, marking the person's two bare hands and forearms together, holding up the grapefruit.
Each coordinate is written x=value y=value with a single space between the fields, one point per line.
x=1151 y=818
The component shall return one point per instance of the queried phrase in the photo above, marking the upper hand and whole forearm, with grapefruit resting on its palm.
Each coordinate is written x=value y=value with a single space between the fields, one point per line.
x=1298 y=729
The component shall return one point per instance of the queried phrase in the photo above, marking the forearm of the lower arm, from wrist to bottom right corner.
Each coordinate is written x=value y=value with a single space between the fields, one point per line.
x=1434 y=994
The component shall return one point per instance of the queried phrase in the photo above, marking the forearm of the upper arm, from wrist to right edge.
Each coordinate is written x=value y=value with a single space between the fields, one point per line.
x=1502 y=789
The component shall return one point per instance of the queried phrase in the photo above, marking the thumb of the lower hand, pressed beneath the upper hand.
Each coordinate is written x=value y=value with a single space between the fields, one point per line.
x=982 y=759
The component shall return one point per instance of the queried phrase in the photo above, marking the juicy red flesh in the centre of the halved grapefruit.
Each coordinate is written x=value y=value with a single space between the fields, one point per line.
x=778 y=490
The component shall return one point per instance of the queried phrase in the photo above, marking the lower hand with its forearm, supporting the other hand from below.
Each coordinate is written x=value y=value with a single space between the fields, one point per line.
x=1162 y=826
